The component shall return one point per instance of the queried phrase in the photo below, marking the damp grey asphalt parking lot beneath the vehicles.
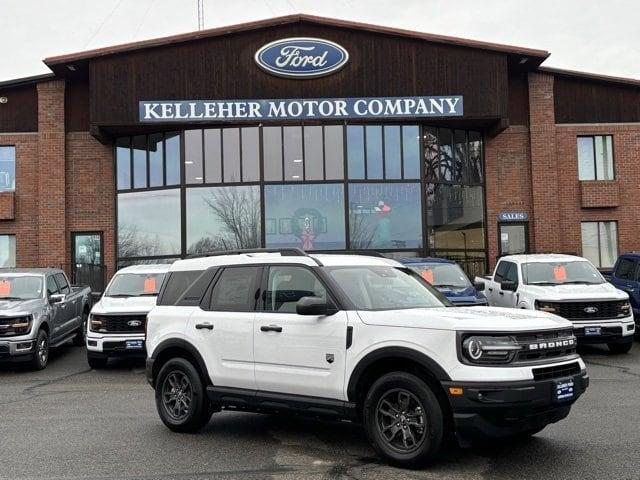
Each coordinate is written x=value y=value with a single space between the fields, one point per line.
x=69 y=422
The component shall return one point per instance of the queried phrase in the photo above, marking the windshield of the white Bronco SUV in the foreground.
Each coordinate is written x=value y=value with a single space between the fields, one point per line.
x=385 y=288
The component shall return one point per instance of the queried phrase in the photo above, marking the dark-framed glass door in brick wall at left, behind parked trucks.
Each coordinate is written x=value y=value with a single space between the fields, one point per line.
x=87 y=261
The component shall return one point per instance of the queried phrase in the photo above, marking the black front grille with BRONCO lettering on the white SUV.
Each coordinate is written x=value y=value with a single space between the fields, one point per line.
x=541 y=340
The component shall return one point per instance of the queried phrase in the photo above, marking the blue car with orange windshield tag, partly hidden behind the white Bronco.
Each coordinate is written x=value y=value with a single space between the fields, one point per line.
x=447 y=276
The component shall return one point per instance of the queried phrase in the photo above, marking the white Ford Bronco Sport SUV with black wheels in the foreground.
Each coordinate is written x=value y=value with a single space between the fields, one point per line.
x=357 y=338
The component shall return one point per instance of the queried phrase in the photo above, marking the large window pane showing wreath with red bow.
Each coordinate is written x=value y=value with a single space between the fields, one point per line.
x=308 y=216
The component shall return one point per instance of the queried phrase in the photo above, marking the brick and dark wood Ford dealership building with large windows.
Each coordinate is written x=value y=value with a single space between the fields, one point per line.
x=316 y=133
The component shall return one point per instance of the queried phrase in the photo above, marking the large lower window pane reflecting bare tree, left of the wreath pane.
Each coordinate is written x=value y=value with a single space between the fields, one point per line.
x=222 y=218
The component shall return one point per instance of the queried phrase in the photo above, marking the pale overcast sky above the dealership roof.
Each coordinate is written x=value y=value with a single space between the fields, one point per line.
x=589 y=35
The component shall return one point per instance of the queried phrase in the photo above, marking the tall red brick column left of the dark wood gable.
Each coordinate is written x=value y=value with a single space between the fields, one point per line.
x=52 y=237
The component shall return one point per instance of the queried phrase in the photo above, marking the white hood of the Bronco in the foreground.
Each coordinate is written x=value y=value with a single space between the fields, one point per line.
x=469 y=319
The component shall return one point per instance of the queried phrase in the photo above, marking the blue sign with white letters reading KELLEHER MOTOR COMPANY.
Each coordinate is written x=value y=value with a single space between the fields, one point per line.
x=153 y=111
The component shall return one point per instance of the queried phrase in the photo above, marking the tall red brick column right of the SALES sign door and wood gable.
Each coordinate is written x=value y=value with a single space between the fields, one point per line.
x=544 y=165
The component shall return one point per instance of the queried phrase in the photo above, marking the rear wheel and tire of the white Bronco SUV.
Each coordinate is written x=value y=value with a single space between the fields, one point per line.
x=181 y=399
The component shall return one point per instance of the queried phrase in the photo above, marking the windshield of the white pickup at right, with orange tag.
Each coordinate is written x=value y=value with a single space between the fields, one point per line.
x=561 y=273
